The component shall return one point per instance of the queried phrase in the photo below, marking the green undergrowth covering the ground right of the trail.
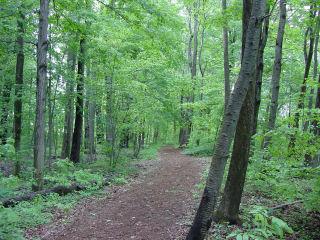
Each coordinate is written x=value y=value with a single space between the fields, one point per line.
x=271 y=181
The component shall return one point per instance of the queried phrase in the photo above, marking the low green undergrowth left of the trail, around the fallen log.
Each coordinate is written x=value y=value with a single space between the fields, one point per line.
x=28 y=214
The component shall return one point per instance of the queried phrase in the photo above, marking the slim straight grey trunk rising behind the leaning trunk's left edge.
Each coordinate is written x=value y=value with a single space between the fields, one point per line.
x=225 y=58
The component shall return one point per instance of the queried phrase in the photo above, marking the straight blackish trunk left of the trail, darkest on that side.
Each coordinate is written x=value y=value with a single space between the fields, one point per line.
x=77 y=133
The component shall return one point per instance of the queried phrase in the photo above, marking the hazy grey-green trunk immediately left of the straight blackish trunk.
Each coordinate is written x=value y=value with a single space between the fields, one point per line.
x=69 y=110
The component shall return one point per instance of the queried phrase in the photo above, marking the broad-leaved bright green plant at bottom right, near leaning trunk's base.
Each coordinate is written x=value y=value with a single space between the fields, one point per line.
x=261 y=225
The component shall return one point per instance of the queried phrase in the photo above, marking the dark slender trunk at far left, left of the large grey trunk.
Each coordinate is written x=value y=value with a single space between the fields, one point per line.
x=18 y=91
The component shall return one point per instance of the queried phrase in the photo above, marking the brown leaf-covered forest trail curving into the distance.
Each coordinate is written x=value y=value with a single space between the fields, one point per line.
x=155 y=206
